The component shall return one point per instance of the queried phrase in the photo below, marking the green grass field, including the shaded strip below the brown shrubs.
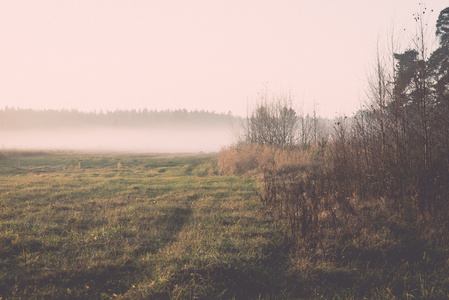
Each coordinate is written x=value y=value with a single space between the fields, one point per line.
x=80 y=225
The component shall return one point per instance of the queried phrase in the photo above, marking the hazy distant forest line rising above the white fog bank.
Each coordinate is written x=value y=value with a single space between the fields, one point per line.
x=17 y=118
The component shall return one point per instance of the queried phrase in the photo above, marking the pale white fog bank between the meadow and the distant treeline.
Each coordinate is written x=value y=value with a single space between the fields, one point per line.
x=108 y=139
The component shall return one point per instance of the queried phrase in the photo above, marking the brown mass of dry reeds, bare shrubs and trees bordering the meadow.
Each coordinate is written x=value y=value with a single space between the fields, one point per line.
x=387 y=167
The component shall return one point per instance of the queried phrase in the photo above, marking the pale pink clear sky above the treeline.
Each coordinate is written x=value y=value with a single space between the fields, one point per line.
x=200 y=54
